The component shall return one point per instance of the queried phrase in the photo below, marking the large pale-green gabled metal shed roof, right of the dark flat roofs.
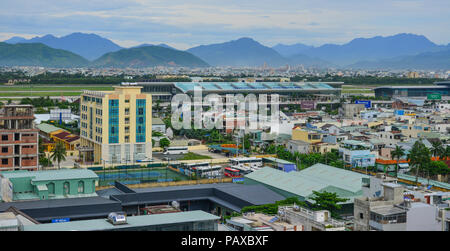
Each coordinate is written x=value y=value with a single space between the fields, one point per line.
x=319 y=177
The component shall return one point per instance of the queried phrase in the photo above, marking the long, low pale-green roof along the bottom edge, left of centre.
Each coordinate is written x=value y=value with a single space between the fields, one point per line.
x=132 y=221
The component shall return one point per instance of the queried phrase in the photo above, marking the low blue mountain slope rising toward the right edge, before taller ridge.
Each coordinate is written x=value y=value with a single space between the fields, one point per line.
x=424 y=61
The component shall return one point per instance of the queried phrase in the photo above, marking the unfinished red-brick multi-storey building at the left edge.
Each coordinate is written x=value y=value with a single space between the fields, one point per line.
x=19 y=138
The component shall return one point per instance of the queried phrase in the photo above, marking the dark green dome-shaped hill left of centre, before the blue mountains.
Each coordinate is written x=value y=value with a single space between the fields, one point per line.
x=149 y=56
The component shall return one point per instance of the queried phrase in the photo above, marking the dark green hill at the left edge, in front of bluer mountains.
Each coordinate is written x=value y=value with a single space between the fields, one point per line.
x=38 y=55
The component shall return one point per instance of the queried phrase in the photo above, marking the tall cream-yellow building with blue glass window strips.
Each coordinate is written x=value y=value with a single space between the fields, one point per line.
x=116 y=126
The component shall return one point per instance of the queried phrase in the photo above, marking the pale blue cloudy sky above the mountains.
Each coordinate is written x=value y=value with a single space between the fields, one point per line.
x=188 y=23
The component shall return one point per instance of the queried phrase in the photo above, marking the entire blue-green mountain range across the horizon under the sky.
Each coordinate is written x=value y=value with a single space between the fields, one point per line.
x=401 y=51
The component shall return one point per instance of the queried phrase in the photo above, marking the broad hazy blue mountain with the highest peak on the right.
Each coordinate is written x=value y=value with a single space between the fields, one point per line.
x=374 y=48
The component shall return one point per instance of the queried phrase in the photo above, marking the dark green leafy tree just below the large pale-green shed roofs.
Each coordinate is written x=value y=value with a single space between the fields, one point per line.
x=327 y=201
